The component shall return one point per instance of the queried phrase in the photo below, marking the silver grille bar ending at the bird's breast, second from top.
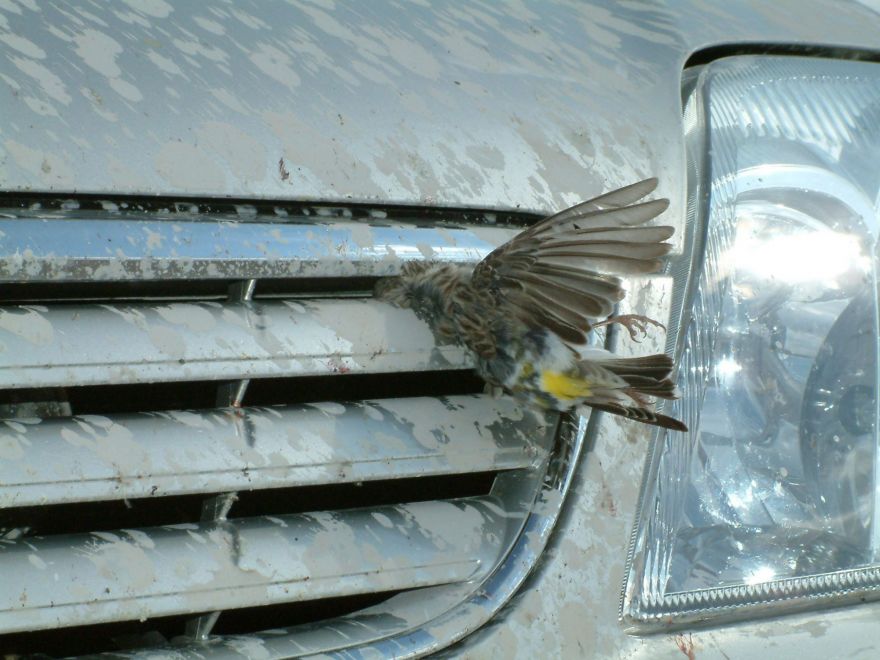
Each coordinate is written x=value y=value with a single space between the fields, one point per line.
x=96 y=344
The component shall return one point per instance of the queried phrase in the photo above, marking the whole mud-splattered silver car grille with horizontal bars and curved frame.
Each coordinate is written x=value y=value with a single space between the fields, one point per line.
x=213 y=430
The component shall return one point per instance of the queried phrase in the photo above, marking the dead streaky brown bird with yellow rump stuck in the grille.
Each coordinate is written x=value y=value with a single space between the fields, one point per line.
x=526 y=309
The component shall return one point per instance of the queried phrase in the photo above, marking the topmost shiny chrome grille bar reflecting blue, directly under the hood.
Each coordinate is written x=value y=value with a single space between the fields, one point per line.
x=41 y=249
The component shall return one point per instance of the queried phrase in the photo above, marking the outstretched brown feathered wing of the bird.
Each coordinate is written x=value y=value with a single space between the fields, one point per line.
x=562 y=272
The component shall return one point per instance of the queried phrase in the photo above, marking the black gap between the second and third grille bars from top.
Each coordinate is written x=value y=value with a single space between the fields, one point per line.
x=201 y=395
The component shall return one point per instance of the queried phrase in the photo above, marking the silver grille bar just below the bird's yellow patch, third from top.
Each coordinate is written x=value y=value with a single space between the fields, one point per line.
x=176 y=453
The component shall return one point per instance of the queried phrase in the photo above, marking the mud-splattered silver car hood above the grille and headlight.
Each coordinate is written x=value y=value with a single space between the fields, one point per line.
x=524 y=105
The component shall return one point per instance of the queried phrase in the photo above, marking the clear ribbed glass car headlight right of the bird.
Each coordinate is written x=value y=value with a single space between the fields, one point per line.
x=771 y=502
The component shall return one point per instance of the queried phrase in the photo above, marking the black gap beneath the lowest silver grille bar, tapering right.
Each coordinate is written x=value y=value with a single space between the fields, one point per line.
x=165 y=632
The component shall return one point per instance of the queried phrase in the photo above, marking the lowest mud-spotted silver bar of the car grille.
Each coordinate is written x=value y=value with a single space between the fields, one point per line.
x=134 y=574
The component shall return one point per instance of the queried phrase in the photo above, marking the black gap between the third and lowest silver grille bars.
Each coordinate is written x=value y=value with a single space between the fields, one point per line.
x=136 y=513
